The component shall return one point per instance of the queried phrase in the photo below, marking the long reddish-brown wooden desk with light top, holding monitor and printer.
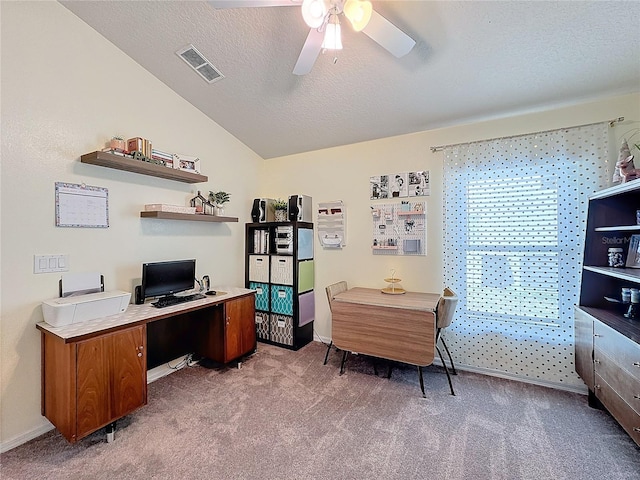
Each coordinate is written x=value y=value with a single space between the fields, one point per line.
x=94 y=373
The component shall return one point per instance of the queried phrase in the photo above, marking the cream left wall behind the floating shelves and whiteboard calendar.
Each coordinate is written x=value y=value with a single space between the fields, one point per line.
x=65 y=91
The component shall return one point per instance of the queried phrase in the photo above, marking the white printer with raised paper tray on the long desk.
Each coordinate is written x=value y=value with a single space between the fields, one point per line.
x=81 y=300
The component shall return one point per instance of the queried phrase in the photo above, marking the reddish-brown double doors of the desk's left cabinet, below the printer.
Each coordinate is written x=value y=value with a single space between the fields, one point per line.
x=112 y=382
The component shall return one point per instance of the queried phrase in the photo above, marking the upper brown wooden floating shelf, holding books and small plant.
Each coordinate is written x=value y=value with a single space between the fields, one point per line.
x=128 y=164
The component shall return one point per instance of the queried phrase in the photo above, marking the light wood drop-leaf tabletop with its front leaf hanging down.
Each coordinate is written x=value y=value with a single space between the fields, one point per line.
x=395 y=327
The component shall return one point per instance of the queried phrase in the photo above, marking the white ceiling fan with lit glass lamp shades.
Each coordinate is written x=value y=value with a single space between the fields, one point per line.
x=323 y=18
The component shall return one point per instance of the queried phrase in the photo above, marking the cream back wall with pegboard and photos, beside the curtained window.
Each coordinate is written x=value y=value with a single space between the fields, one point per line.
x=343 y=173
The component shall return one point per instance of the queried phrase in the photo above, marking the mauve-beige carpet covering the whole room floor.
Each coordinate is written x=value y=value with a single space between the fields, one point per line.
x=284 y=415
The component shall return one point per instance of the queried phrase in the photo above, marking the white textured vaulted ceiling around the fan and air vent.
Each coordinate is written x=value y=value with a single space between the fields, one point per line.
x=472 y=61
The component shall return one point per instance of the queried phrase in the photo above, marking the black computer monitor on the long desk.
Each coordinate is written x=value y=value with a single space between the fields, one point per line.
x=167 y=278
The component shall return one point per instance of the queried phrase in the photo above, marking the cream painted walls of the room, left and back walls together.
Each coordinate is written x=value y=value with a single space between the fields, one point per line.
x=65 y=90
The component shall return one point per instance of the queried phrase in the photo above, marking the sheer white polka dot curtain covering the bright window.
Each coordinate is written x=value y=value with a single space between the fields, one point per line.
x=515 y=217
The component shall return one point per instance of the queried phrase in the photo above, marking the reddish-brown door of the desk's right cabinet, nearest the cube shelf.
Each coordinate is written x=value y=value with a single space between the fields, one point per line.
x=240 y=327
